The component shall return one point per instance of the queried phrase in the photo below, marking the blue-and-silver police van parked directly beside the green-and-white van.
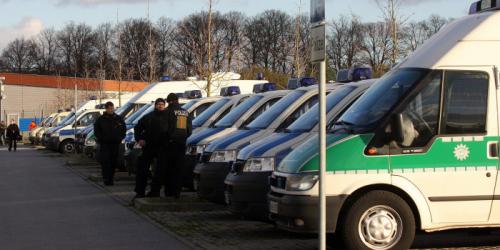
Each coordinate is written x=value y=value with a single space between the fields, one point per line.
x=246 y=186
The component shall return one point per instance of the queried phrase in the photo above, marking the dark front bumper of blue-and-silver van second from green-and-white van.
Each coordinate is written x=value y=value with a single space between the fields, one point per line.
x=210 y=180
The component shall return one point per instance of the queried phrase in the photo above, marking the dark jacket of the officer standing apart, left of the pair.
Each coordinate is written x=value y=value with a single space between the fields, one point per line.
x=110 y=129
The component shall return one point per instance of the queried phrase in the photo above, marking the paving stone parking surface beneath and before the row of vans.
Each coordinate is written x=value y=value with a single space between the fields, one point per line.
x=216 y=228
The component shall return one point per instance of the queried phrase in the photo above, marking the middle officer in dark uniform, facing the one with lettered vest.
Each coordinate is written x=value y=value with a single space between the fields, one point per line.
x=151 y=134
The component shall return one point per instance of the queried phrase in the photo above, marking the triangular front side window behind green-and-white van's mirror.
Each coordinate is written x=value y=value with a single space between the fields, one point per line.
x=421 y=115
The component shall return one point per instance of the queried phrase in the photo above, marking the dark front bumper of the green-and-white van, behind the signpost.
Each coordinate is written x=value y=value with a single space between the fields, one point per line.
x=300 y=213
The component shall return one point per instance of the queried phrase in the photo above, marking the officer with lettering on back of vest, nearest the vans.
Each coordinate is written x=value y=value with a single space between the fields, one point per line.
x=180 y=128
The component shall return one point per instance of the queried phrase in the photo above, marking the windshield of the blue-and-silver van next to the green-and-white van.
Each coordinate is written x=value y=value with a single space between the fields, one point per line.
x=311 y=118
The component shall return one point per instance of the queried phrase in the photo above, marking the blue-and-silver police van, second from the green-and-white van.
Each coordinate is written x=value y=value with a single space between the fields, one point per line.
x=223 y=150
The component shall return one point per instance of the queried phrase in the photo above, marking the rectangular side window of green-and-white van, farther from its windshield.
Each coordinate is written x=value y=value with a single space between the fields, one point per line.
x=465 y=102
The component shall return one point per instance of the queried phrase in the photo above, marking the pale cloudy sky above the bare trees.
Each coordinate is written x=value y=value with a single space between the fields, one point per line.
x=27 y=17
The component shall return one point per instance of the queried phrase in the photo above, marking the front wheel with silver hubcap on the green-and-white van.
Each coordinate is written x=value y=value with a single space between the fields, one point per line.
x=378 y=220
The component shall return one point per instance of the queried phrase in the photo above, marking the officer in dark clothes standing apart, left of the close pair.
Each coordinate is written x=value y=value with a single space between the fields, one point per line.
x=109 y=130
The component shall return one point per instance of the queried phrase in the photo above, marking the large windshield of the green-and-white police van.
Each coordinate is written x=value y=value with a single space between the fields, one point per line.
x=373 y=106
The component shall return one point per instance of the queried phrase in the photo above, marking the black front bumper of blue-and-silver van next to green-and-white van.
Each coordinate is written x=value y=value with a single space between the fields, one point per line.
x=246 y=193
